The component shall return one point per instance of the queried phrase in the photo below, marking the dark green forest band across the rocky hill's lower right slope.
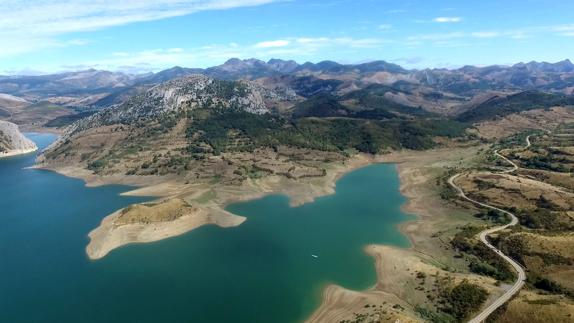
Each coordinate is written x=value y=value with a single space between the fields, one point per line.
x=219 y=130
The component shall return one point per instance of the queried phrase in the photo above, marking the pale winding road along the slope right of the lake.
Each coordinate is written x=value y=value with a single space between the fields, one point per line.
x=483 y=238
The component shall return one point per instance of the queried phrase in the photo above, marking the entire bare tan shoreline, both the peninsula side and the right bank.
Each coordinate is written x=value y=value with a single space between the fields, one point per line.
x=388 y=287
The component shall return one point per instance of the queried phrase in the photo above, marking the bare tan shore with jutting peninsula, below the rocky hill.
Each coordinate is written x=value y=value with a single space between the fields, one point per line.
x=108 y=236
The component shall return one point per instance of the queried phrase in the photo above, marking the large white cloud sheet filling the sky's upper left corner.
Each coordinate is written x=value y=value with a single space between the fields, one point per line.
x=30 y=25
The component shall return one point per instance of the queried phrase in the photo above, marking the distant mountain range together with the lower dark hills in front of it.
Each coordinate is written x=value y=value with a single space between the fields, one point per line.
x=337 y=89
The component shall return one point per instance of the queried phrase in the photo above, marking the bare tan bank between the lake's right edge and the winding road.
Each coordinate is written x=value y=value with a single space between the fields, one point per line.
x=395 y=266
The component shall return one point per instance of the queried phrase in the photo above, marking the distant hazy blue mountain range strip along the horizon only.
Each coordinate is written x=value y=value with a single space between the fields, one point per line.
x=101 y=88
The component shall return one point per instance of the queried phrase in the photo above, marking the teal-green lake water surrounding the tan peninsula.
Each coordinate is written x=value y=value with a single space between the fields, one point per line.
x=261 y=271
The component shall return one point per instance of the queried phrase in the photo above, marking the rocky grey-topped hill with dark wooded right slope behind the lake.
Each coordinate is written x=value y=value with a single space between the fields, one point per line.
x=197 y=126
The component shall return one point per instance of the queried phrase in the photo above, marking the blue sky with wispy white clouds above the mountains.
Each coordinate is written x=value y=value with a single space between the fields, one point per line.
x=138 y=36
